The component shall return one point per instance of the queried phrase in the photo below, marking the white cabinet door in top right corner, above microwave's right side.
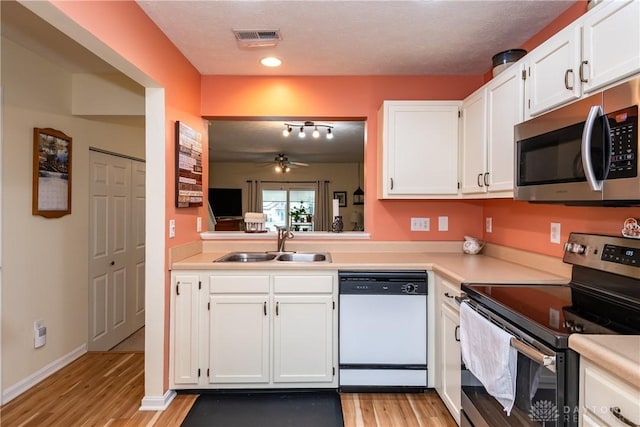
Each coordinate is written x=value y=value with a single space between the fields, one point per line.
x=611 y=43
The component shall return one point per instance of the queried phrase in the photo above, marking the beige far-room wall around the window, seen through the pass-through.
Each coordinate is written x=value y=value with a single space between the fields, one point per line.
x=342 y=177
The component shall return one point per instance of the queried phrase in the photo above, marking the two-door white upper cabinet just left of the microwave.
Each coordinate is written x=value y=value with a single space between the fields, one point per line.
x=488 y=118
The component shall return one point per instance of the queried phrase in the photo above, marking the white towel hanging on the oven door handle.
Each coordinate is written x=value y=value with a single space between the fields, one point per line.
x=487 y=353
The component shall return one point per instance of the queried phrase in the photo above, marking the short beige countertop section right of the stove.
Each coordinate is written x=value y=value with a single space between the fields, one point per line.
x=618 y=354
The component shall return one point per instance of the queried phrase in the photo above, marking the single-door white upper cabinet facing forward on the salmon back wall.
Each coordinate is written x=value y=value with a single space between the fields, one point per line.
x=418 y=149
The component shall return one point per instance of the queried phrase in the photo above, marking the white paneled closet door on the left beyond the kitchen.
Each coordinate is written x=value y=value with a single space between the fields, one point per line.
x=114 y=268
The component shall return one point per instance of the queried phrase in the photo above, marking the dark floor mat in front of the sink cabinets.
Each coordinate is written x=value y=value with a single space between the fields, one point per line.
x=266 y=409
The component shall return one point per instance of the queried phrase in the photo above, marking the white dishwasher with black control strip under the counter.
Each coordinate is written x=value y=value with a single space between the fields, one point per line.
x=383 y=329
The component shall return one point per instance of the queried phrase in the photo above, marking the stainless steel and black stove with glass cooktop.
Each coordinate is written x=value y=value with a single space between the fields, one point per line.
x=603 y=297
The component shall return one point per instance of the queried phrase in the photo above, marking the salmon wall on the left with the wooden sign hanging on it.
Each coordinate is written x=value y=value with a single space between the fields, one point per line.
x=126 y=29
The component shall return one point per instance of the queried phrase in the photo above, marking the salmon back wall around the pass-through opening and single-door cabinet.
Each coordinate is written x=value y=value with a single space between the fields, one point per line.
x=334 y=97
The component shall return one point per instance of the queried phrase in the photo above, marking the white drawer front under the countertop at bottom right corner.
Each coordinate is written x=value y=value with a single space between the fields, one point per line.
x=603 y=392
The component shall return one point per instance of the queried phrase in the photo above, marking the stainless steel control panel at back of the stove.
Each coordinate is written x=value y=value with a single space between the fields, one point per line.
x=615 y=254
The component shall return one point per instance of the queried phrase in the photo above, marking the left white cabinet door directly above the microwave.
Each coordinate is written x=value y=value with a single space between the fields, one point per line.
x=552 y=72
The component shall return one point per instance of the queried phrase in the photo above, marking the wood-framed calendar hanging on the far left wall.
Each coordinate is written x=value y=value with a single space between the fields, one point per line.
x=51 y=196
